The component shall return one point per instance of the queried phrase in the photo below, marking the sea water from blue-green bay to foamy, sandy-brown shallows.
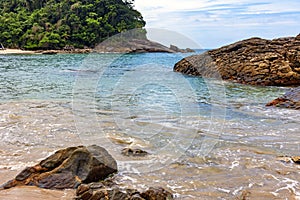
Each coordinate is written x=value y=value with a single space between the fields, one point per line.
x=206 y=138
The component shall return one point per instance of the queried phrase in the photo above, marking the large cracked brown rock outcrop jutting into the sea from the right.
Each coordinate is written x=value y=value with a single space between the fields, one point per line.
x=253 y=61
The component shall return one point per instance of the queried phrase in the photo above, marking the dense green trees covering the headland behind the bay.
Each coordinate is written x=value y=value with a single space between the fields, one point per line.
x=53 y=24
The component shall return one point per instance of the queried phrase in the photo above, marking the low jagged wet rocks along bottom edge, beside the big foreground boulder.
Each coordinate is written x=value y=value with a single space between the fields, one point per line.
x=109 y=190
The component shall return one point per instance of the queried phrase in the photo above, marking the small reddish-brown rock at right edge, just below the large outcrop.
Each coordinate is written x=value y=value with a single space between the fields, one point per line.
x=291 y=99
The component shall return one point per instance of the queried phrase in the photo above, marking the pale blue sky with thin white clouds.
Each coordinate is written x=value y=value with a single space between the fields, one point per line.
x=215 y=23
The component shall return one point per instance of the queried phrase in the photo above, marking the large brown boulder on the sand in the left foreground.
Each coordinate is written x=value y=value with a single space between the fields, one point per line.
x=67 y=168
